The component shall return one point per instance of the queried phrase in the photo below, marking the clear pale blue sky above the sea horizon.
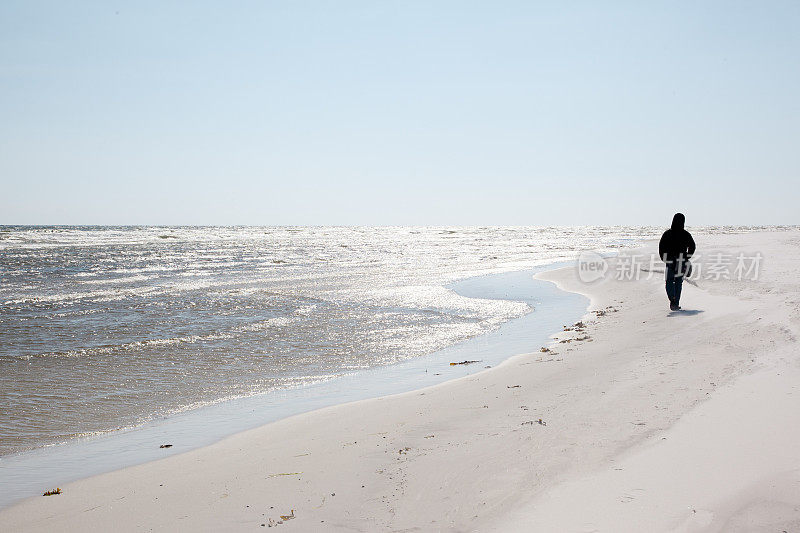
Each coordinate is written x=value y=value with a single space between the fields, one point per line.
x=399 y=113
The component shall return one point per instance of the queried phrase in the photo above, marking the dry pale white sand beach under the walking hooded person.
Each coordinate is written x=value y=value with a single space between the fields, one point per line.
x=688 y=422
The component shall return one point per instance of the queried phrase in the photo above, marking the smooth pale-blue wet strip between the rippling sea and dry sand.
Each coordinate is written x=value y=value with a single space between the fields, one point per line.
x=67 y=462
